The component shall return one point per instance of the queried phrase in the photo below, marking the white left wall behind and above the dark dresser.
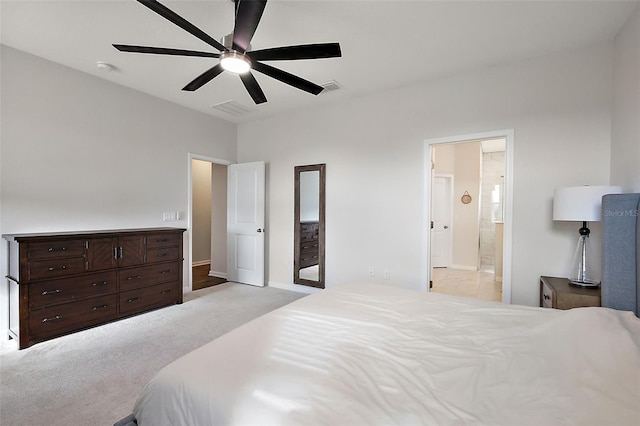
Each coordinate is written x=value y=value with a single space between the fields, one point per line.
x=81 y=153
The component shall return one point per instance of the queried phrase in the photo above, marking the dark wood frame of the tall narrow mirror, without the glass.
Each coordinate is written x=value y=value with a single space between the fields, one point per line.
x=321 y=226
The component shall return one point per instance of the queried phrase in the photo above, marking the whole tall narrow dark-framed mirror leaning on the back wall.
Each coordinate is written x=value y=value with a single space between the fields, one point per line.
x=309 y=202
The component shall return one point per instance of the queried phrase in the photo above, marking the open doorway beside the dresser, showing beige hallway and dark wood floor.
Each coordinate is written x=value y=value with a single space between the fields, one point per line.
x=207 y=222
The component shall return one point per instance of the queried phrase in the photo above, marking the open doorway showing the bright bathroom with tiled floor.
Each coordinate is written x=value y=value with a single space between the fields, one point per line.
x=469 y=206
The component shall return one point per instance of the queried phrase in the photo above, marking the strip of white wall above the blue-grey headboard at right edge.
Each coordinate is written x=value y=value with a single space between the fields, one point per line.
x=625 y=145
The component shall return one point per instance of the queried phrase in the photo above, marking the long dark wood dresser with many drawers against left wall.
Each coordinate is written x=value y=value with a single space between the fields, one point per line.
x=64 y=282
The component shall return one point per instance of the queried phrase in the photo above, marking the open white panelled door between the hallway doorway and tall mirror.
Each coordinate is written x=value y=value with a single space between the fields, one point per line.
x=245 y=223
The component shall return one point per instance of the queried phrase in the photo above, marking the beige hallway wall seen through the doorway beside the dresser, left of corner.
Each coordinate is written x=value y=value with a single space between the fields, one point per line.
x=201 y=211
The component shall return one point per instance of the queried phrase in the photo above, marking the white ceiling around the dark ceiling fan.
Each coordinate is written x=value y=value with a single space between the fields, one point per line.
x=385 y=44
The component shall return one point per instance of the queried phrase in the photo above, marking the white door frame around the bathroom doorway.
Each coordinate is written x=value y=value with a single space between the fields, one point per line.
x=508 y=135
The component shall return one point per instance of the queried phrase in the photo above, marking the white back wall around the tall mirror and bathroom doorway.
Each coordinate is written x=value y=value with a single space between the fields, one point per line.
x=559 y=107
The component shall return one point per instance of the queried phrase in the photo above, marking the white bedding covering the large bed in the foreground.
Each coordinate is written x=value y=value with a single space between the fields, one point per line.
x=367 y=354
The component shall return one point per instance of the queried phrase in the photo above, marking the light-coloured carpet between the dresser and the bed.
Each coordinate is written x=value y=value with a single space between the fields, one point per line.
x=93 y=377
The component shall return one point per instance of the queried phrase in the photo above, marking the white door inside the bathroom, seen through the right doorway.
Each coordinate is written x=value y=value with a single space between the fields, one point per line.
x=441 y=217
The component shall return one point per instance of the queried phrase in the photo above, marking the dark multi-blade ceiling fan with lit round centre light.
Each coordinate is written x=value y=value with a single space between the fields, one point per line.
x=235 y=54
